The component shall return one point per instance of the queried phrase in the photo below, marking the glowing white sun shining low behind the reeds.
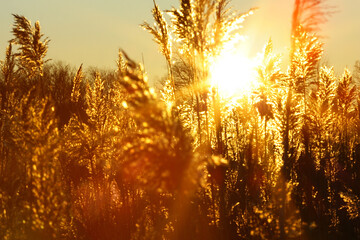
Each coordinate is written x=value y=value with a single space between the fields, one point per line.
x=233 y=74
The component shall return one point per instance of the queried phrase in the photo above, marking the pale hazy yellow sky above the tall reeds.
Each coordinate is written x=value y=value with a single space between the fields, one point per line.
x=92 y=31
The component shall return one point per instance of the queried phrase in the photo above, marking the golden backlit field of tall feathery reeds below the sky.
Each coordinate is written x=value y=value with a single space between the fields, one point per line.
x=93 y=154
